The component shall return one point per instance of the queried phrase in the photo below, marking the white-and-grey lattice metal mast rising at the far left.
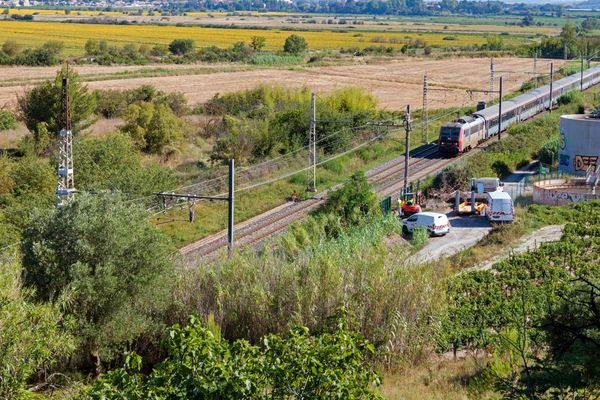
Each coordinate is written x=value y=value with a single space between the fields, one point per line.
x=66 y=183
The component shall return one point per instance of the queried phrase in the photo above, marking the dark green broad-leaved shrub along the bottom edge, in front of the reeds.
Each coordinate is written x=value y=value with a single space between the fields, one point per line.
x=201 y=365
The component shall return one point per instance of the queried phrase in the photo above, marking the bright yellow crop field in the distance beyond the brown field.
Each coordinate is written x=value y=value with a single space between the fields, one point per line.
x=75 y=35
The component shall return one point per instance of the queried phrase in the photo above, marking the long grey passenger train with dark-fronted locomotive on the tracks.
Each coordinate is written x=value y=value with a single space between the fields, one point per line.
x=466 y=132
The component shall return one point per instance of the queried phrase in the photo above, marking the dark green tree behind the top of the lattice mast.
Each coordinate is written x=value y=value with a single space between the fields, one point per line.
x=43 y=103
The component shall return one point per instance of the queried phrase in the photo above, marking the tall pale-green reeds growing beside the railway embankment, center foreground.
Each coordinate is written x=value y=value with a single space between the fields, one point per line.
x=393 y=303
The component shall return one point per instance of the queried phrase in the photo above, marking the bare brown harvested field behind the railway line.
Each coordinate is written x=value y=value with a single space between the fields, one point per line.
x=395 y=82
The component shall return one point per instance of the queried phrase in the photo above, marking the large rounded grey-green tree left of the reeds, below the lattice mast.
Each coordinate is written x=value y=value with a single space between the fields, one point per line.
x=116 y=268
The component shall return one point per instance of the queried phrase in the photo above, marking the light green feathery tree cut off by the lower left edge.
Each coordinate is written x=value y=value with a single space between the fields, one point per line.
x=31 y=337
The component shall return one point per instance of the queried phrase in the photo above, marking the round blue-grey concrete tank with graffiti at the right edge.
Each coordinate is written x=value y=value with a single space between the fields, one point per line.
x=579 y=143
